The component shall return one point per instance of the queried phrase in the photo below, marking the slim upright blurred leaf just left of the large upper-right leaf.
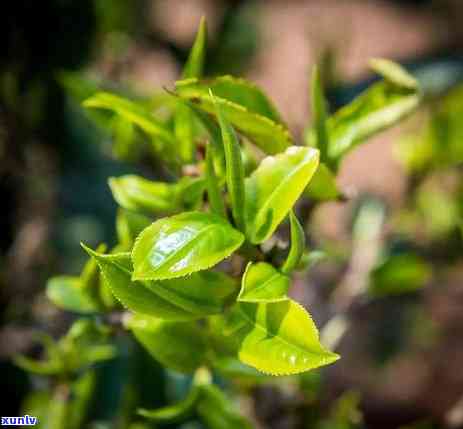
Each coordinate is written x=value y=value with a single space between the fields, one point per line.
x=319 y=112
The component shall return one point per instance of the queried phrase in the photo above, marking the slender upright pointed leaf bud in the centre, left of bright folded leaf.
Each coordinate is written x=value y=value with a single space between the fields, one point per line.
x=234 y=167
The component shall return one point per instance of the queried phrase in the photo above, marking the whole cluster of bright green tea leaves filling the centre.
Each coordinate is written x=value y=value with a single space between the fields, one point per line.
x=196 y=273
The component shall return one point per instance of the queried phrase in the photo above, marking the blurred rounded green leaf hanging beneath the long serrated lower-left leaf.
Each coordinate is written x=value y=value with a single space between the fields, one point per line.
x=180 y=346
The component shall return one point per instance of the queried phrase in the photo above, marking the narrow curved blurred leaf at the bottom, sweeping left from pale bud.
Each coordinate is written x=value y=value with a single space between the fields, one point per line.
x=177 y=413
